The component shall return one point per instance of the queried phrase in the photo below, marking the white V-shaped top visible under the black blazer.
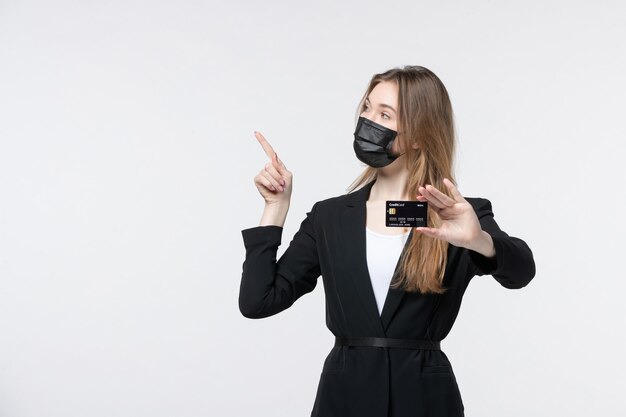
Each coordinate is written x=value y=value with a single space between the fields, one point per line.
x=383 y=252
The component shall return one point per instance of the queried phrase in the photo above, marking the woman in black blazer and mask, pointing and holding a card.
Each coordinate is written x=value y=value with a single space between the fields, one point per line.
x=391 y=294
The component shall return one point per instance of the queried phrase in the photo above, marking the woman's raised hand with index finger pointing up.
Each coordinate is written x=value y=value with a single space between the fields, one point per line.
x=274 y=180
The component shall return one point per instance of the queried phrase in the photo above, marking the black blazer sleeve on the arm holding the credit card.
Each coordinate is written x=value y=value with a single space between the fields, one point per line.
x=513 y=266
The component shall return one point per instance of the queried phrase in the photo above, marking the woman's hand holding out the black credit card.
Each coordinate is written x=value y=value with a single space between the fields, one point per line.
x=459 y=223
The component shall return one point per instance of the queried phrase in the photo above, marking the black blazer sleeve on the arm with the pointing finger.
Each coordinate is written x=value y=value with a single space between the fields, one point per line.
x=269 y=287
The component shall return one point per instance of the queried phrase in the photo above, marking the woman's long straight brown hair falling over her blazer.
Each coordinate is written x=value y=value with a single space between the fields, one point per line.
x=425 y=118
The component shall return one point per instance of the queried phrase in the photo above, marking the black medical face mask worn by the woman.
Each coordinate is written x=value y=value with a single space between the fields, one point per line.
x=372 y=143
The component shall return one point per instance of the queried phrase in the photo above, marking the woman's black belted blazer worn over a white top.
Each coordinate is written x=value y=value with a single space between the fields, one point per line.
x=362 y=381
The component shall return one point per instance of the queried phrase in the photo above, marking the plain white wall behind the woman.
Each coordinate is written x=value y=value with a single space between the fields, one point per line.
x=126 y=176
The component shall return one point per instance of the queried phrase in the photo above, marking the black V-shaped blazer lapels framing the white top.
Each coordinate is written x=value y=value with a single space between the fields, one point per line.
x=353 y=222
